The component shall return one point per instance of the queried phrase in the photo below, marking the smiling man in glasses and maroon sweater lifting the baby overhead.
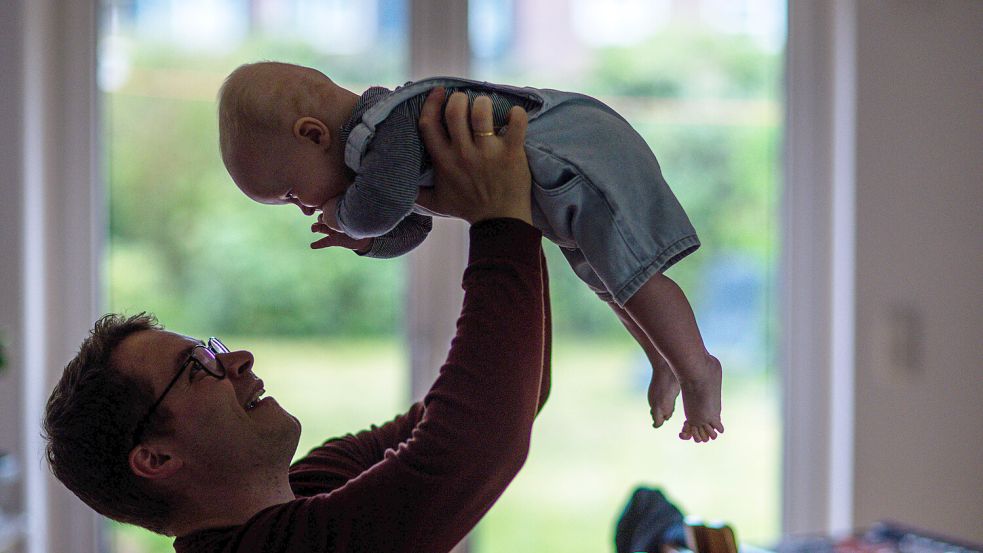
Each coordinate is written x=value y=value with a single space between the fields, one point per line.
x=171 y=433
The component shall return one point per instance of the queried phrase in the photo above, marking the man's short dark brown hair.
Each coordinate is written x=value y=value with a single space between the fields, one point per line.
x=89 y=423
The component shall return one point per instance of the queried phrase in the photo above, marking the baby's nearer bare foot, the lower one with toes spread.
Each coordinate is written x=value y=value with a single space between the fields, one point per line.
x=700 y=387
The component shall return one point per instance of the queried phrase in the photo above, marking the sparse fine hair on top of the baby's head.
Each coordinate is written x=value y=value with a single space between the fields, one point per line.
x=260 y=99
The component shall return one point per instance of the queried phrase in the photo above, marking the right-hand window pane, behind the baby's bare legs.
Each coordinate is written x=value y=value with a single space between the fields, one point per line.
x=701 y=81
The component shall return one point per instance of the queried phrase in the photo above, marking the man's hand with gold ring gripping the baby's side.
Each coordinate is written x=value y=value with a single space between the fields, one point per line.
x=479 y=174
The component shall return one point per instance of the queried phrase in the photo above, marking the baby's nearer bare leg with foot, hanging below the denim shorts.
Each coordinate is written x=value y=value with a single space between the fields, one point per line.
x=662 y=311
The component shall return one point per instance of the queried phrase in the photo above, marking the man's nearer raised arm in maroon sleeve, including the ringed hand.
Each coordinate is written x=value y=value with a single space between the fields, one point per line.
x=473 y=435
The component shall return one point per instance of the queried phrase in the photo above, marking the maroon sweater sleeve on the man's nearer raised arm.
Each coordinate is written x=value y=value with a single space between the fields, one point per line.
x=427 y=493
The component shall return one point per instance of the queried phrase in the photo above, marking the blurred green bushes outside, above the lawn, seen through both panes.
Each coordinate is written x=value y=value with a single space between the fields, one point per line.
x=182 y=235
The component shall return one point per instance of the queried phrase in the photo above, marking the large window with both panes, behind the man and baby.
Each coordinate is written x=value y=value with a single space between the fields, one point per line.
x=700 y=81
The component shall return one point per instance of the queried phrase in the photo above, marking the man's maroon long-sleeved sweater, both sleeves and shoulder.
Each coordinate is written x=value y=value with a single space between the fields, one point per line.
x=423 y=480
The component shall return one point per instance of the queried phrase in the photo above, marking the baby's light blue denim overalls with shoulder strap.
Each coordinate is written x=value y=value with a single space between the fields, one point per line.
x=598 y=191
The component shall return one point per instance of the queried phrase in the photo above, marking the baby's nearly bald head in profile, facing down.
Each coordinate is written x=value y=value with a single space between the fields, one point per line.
x=278 y=132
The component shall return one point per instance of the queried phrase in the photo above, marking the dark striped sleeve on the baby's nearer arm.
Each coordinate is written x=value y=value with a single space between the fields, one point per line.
x=386 y=187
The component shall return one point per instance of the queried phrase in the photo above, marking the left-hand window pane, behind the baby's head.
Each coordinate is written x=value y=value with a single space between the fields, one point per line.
x=325 y=326
